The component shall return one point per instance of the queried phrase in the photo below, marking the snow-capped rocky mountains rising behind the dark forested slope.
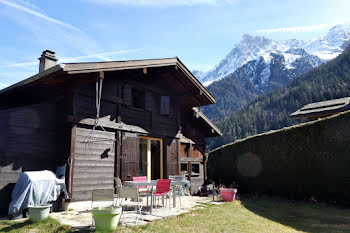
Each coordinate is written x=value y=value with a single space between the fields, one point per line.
x=293 y=54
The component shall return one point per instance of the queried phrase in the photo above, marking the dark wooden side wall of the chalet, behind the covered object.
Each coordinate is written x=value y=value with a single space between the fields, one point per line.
x=31 y=138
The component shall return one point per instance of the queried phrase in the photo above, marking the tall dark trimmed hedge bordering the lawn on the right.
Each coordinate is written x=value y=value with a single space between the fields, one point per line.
x=310 y=160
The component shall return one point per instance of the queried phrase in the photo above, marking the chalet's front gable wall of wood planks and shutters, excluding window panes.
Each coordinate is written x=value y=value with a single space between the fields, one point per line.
x=117 y=107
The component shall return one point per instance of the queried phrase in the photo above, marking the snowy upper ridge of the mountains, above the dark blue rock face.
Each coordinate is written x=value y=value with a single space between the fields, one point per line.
x=251 y=48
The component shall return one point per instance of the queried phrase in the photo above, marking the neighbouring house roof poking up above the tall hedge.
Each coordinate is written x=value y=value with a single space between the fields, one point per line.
x=323 y=108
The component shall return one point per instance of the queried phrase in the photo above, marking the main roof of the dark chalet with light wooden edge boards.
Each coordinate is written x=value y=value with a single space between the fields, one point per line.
x=90 y=67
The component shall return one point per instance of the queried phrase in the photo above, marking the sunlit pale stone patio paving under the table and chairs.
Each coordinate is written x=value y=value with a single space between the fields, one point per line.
x=82 y=219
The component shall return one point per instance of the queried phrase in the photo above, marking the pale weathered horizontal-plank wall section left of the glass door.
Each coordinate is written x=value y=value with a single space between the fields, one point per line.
x=92 y=171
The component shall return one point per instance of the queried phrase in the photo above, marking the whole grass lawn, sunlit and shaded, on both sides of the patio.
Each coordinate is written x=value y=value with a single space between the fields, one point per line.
x=248 y=215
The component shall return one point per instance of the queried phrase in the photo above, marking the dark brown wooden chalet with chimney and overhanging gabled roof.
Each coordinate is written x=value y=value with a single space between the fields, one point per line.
x=149 y=124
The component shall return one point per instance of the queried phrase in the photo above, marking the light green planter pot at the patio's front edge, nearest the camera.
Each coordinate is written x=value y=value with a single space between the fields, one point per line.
x=106 y=218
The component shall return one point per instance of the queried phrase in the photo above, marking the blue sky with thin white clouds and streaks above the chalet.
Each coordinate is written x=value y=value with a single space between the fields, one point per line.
x=199 y=32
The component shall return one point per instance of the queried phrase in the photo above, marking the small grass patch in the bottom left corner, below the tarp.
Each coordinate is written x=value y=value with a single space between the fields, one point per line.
x=49 y=225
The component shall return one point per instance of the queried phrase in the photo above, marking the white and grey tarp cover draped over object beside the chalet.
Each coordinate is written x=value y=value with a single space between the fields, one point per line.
x=44 y=184
